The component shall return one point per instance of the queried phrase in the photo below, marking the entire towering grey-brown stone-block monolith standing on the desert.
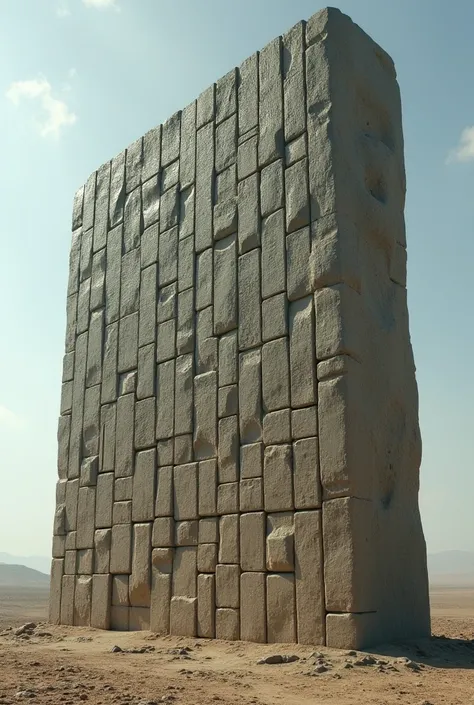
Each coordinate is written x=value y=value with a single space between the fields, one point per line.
x=238 y=446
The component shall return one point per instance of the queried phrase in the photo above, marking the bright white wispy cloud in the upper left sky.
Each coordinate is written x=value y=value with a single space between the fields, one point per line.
x=56 y=115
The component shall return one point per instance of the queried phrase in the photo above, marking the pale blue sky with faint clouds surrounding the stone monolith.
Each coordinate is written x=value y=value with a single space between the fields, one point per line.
x=81 y=79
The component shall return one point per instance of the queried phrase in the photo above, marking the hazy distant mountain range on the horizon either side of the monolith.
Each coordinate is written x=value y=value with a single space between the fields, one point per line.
x=446 y=567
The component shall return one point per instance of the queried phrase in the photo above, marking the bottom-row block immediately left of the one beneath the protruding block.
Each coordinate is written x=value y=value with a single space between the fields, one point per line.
x=253 y=623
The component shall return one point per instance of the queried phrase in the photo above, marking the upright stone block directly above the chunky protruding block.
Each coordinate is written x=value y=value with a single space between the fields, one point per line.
x=278 y=478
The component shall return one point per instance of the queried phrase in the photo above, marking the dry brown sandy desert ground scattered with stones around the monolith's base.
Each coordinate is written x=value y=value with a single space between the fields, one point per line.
x=67 y=666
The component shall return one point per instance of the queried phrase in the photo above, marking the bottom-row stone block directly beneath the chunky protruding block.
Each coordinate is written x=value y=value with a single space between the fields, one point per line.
x=281 y=614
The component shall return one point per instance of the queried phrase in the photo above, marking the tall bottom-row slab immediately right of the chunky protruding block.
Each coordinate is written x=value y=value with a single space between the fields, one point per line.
x=309 y=579
